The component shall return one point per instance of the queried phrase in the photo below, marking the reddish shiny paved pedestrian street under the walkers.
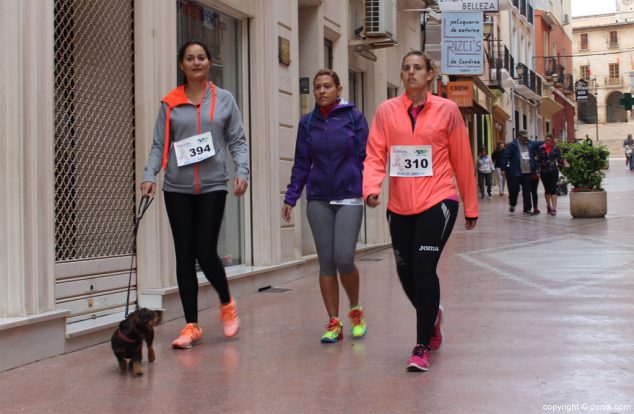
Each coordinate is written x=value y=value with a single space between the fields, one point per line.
x=539 y=318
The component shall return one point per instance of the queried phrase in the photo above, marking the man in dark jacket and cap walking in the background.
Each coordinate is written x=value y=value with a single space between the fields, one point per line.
x=521 y=168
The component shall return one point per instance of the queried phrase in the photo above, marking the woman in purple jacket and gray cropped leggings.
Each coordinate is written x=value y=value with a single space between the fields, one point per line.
x=329 y=155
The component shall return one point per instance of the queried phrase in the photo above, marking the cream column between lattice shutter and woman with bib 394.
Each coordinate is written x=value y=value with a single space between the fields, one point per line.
x=155 y=76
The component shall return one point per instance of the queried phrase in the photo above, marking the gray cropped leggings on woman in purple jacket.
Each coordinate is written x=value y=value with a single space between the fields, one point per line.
x=335 y=230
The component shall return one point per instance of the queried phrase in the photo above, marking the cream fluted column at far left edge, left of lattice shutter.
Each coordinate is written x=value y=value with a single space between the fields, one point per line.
x=26 y=170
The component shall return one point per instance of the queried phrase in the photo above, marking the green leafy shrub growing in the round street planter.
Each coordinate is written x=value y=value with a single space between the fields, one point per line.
x=583 y=165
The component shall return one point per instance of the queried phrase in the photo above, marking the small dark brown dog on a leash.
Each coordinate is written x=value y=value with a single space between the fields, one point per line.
x=127 y=340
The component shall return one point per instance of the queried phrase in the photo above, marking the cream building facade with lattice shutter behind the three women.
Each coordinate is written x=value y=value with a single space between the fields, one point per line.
x=82 y=96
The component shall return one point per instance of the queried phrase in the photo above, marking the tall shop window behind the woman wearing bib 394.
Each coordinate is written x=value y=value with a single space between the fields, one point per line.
x=221 y=33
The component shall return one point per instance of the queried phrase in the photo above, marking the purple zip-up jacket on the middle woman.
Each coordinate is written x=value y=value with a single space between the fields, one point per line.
x=329 y=155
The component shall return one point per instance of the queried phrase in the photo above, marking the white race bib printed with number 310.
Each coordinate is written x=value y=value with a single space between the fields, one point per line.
x=411 y=161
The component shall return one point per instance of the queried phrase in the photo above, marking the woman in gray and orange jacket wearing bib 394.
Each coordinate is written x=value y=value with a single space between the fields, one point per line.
x=196 y=124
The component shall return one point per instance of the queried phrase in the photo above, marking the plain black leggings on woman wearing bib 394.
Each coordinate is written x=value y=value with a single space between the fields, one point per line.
x=195 y=220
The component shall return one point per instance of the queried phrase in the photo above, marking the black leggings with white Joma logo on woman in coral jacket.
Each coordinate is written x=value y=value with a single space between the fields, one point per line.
x=418 y=241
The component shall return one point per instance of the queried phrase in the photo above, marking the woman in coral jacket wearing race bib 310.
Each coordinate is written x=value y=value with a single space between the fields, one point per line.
x=425 y=140
